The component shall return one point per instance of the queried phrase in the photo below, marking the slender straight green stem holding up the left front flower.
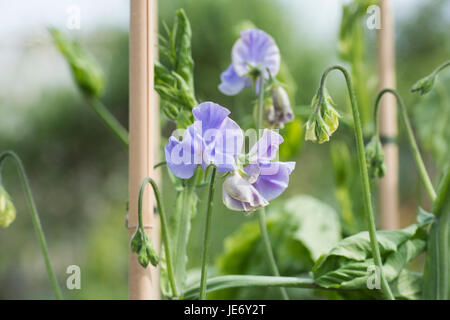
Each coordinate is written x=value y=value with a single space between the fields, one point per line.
x=206 y=236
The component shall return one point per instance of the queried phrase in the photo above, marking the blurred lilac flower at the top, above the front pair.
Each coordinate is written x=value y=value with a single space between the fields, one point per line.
x=254 y=54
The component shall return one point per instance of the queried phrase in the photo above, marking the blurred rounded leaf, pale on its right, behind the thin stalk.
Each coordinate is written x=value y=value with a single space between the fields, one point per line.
x=301 y=229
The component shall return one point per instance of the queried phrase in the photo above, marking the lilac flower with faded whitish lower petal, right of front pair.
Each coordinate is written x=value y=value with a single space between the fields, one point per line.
x=262 y=180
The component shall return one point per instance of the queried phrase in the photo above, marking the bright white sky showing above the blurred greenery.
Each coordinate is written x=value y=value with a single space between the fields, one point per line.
x=26 y=56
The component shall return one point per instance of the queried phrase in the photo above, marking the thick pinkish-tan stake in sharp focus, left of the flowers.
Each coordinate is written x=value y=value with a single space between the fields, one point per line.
x=144 y=138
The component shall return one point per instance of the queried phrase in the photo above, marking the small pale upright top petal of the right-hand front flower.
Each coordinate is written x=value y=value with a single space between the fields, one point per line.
x=266 y=148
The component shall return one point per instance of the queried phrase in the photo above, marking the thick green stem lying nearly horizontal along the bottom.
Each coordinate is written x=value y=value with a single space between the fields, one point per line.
x=239 y=281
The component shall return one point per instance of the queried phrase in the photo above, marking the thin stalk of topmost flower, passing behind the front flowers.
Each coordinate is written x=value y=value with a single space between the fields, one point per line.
x=262 y=212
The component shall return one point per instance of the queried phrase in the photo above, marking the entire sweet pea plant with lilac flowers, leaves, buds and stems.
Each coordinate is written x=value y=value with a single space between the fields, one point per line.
x=210 y=149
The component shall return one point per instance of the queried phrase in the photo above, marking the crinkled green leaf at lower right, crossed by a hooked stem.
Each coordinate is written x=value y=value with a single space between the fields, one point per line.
x=347 y=265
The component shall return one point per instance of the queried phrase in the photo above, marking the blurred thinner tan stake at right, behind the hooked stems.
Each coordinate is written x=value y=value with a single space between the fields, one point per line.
x=388 y=186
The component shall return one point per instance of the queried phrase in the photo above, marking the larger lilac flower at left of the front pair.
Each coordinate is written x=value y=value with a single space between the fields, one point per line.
x=213 y=138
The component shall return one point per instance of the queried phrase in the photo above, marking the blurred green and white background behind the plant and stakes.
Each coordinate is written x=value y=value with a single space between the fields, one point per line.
x=79 y=171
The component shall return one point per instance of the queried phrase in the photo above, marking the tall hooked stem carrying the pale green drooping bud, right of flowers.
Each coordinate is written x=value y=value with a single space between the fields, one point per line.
x=363 y=172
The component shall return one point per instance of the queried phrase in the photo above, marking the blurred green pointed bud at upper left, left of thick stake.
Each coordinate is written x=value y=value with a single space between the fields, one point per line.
x=86 y=72
